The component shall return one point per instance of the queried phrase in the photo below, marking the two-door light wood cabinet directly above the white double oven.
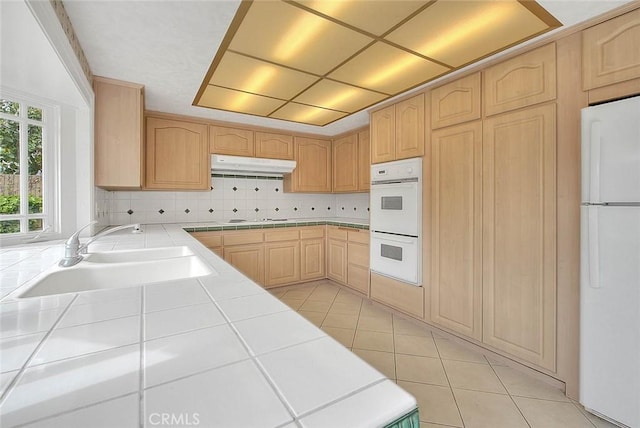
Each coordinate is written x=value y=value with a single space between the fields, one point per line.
x=397 y=131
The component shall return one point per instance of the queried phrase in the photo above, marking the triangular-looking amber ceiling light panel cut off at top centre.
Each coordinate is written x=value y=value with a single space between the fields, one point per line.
x=375 y=17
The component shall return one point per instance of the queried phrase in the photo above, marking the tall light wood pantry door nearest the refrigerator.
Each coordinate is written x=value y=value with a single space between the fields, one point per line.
x=519 y=234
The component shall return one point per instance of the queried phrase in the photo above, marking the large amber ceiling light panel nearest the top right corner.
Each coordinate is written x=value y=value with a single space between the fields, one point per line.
x=462 y=31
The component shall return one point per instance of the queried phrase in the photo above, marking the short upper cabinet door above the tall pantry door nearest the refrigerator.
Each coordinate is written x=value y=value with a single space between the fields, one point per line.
x=522 y=81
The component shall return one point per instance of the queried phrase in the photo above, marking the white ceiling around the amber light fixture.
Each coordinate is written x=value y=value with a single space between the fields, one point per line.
x=168 y=46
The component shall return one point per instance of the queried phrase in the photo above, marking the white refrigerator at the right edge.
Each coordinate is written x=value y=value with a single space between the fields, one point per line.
x=610 y=262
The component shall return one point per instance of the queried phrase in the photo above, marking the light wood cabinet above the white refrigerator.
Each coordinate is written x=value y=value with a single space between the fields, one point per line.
x=610 y=52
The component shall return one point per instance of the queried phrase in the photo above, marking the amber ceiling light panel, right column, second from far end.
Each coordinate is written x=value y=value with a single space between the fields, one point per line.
x=338 y=96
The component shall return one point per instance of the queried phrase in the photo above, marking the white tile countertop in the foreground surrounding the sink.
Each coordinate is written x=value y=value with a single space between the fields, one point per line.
x=214 y=351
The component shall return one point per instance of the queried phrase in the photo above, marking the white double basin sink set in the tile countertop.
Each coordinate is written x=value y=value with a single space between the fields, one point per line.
x=117 y=269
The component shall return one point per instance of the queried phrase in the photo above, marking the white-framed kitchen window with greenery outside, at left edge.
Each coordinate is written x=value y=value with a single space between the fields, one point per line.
x=28 y=146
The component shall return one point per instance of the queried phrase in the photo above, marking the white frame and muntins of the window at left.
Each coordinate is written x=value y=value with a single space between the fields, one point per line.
x=50 y=124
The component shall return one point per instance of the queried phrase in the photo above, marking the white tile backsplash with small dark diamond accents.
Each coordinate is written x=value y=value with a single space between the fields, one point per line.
x=232 y=197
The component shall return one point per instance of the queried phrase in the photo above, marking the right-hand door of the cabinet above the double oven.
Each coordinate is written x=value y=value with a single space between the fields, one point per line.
x=409 y=138
